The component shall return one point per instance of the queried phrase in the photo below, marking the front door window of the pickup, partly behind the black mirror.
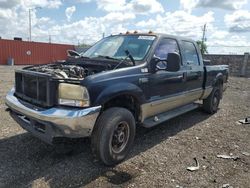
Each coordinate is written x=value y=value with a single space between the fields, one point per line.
x=166 y=46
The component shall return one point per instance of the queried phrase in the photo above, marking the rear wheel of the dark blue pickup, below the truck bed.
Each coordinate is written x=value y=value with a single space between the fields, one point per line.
x=211 y=103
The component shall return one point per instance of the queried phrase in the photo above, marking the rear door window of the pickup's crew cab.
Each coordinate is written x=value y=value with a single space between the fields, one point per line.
x=190 y=55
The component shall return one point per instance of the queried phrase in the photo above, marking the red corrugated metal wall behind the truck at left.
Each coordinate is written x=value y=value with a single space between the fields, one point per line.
x=25 y=53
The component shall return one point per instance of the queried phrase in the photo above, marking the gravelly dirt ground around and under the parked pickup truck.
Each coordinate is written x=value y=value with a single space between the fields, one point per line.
x=160 y=156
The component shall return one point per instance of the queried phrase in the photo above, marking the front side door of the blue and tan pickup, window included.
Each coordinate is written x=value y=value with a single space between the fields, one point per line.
x=166 y=88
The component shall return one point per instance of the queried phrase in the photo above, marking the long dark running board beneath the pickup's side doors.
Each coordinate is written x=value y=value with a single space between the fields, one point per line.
x=160 y=118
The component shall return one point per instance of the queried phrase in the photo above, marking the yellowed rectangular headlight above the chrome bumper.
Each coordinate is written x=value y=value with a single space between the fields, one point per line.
x=73 y=95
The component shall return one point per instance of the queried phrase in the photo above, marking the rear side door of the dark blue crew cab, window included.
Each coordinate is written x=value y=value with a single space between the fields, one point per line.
x=194 y=68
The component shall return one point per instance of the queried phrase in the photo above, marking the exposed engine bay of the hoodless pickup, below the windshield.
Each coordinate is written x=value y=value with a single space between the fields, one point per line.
x=67 y=71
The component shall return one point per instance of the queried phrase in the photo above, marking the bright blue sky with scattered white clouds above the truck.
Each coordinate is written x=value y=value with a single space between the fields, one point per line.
x=85 y=21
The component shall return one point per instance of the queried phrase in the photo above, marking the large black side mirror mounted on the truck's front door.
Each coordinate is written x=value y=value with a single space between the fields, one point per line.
x=173 y=62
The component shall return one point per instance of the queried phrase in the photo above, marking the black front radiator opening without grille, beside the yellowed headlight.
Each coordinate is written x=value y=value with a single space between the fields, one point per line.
x=36 y=88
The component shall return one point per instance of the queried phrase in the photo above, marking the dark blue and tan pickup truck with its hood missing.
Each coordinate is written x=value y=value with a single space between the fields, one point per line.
x=121 y=82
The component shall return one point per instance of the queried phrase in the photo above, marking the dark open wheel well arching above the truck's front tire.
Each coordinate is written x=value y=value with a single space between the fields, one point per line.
x=125 y=101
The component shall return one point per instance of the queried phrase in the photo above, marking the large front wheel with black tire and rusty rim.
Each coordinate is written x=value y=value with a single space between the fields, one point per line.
x=113 y=135
